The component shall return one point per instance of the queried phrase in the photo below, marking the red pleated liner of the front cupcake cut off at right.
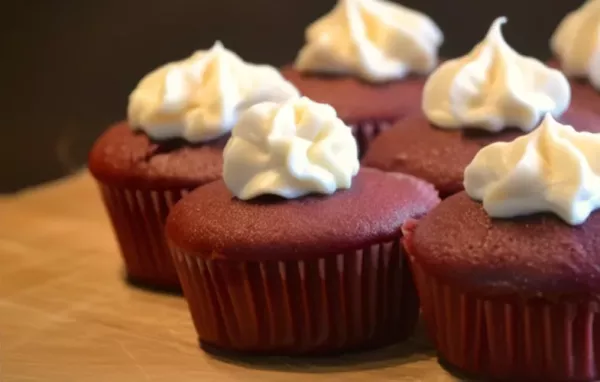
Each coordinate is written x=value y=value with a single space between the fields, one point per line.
x=511 y=338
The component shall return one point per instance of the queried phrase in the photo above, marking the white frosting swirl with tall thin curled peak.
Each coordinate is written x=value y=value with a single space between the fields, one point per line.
x=493 y=87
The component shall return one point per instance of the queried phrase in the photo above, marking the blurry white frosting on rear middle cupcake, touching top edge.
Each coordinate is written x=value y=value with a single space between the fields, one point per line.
x=376 y=40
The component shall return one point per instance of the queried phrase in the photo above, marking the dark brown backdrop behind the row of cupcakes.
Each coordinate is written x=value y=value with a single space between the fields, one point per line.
x=67 y=66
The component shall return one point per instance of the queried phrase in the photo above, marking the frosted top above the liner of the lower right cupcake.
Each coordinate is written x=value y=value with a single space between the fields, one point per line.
x=535 y=231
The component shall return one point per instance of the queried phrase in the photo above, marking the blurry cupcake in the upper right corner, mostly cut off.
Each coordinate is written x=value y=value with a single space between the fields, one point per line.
x=575 y=51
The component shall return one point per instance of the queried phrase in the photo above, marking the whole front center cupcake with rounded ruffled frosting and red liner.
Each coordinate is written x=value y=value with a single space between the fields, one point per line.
x=295 y=251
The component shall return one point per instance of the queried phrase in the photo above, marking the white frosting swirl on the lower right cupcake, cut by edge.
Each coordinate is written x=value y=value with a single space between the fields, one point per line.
x=552 y=169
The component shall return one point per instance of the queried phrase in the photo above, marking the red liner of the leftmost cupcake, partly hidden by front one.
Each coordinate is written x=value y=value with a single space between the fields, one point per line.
x=138 y=218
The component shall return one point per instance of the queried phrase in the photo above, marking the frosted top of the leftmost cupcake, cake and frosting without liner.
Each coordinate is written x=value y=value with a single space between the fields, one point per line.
x=180 y=116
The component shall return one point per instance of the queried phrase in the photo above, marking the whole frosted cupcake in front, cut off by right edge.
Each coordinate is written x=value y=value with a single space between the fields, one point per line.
x=507 y=271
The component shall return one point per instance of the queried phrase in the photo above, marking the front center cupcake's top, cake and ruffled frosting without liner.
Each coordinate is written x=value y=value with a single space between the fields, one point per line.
x=292 y=187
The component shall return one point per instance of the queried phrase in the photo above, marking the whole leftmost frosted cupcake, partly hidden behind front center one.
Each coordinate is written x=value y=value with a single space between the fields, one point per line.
x=179 y=119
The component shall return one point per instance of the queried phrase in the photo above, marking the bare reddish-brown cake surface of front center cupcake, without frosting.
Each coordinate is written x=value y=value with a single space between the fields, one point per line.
x=211 y=221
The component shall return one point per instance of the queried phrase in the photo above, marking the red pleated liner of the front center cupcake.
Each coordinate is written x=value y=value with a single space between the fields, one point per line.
x=351 y=301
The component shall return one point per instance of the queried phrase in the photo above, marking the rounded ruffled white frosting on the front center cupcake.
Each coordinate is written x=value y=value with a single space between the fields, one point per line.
x=291 y=149
